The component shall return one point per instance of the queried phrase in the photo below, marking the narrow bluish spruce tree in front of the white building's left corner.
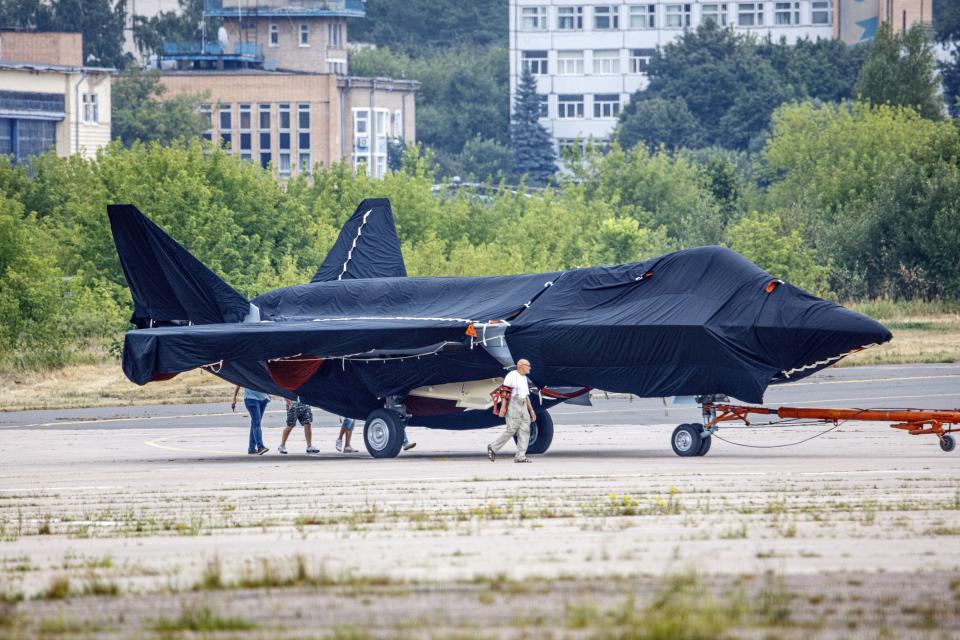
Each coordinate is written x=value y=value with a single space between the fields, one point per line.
x=532 y=148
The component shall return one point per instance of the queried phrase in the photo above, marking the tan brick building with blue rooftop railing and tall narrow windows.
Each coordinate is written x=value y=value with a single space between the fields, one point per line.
x=280 y=91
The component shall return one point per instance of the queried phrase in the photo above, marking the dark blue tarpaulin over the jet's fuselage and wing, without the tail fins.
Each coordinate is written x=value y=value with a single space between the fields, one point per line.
x=700 y=321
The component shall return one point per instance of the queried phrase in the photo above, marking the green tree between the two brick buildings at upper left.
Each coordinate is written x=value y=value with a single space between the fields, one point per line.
x=141 y=114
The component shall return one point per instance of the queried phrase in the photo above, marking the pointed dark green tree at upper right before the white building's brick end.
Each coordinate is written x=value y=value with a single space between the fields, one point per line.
x=901 y=70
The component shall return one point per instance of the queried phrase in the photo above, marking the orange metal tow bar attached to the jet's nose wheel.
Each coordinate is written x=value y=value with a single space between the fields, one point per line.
x=916 y=422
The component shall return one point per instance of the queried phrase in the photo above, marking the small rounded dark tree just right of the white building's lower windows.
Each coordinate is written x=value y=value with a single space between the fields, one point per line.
x=658 y=121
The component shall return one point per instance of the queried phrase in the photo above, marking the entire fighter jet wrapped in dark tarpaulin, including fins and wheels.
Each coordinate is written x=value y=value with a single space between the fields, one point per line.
x=364 y=340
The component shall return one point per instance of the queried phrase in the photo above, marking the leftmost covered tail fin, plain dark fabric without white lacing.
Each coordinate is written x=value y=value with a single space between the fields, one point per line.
x=168 y=284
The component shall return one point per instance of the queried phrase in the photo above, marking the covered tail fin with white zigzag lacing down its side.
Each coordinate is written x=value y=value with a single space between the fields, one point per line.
x=368 y=246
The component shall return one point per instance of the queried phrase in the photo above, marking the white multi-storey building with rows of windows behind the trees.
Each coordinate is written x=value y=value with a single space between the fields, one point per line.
x=590 y=56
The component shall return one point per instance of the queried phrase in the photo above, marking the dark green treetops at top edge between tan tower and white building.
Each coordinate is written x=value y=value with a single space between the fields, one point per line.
x=451 y=25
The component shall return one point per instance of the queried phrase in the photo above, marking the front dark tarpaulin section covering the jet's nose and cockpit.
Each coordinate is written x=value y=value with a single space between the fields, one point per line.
x=699 y=321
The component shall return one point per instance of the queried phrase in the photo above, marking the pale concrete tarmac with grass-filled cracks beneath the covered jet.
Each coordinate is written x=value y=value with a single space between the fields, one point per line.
x=164 y=491
